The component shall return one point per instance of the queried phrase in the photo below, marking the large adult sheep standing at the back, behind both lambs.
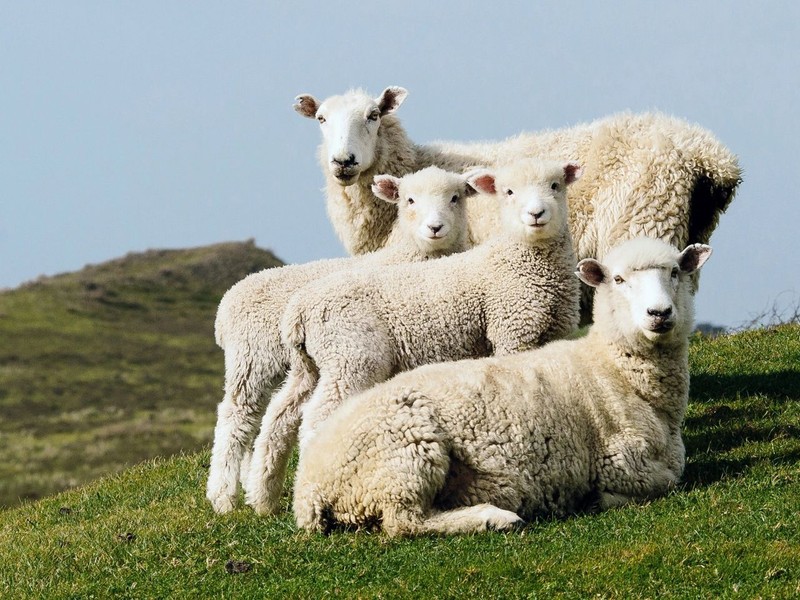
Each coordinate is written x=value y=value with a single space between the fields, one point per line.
x=644 y=174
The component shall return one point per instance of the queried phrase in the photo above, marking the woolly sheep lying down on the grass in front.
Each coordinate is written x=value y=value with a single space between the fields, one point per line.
x=482 y=444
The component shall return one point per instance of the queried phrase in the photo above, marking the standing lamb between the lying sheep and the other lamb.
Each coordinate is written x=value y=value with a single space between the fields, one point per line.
x=512 y=293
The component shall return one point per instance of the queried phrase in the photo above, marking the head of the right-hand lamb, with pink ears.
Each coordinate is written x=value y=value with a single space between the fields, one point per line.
x=533 y=196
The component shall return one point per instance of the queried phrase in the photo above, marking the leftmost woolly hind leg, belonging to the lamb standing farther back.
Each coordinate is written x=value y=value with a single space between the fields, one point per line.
x=246 y=393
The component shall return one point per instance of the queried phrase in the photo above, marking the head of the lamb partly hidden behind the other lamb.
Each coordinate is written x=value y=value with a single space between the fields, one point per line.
x=431 y=207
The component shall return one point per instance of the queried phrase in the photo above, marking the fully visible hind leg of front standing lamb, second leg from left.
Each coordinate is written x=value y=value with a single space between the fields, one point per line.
x=273 y=446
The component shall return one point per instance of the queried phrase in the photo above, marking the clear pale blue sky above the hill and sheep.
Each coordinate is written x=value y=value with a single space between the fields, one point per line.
x=133 y=125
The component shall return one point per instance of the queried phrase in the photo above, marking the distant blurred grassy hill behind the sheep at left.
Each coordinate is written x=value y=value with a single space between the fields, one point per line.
x=111 y=365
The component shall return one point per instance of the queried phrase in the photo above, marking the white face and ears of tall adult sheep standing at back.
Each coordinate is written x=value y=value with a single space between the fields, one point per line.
x=350 y=125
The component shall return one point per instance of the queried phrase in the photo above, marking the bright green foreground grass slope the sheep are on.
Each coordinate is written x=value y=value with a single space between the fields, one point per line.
x=731 y=530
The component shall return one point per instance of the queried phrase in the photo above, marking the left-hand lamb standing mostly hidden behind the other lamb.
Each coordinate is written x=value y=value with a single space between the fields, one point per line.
x=248 y=317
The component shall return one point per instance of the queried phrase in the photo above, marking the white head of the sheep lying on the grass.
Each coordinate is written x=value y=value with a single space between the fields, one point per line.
x=644 y=290
